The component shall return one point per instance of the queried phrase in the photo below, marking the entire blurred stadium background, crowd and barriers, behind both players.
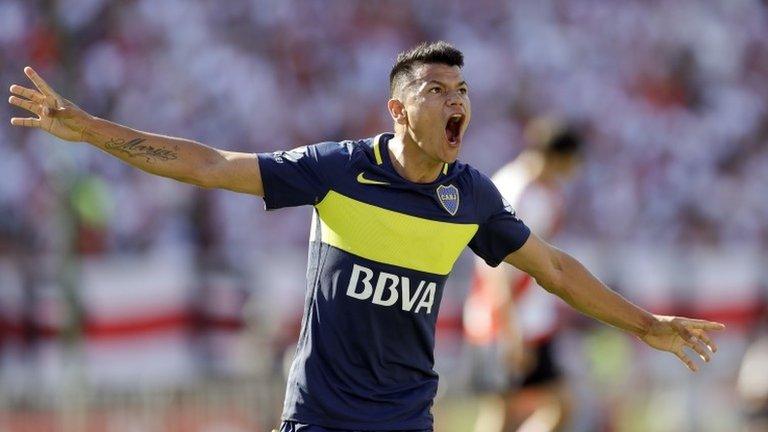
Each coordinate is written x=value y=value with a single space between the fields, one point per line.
x=119 y=284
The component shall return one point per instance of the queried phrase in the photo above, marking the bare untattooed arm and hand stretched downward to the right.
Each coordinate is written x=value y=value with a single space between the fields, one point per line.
x=564 y=276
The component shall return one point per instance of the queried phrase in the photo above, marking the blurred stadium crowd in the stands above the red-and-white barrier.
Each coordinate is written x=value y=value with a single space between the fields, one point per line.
x=672 y=99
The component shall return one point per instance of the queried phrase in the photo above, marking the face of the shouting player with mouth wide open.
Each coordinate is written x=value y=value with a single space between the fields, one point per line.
x=437 y=110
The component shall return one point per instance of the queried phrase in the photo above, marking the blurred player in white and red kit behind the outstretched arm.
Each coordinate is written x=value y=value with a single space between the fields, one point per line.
x=509 y=320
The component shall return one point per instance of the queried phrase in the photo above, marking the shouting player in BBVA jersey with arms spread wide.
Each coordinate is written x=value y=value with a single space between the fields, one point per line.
x=391 y=215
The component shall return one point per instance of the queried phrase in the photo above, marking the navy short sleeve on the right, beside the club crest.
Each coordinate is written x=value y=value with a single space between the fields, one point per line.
x=501 y=231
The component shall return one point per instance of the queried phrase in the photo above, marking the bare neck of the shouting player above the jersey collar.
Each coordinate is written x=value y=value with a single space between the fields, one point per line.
x=410 y=161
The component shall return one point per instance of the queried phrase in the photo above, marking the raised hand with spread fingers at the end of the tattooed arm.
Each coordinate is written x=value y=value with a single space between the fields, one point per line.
x=55 y=114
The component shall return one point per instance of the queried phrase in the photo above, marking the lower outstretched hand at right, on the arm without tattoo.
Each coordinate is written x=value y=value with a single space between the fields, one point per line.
x=669 y=333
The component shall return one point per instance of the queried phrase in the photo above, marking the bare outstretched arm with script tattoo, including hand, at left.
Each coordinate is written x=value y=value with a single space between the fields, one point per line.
x=177 y=158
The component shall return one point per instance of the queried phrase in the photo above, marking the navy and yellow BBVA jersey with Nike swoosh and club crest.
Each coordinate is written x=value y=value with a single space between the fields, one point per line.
x=381 y=248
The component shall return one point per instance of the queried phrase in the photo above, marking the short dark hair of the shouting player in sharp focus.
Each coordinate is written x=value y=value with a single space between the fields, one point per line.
x=426 y=52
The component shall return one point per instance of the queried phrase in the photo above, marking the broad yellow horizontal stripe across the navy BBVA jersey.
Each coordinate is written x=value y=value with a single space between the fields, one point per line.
x=391 y=237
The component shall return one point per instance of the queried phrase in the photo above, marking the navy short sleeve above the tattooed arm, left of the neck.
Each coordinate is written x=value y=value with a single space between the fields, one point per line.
x=297 y=177
